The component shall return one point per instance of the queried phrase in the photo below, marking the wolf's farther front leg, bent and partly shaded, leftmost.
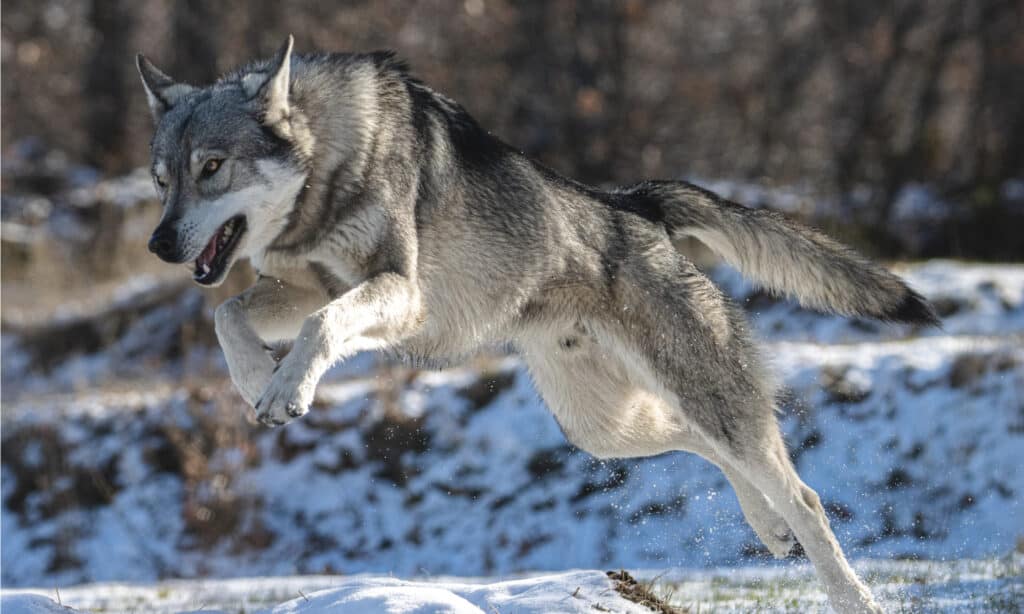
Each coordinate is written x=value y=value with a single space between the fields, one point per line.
x=271 y=311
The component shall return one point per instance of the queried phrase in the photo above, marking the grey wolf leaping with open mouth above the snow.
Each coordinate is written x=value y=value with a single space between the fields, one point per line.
x=379 y=215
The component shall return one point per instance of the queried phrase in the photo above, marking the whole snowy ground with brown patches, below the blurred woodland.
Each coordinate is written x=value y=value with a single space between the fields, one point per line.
x=124 y=465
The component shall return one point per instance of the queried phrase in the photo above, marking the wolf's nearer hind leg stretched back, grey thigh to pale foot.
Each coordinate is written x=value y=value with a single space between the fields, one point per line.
x=696 y=344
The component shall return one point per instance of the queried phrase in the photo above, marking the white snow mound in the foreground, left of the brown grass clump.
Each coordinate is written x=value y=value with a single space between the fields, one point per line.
x=565 y=593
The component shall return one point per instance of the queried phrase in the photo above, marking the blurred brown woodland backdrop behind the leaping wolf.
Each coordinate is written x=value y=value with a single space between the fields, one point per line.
x=845 y=98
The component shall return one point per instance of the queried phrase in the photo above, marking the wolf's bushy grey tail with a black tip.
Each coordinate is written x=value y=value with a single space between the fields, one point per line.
x=786 y=257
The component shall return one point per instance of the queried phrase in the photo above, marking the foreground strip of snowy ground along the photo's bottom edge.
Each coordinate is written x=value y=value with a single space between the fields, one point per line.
x=969 y=587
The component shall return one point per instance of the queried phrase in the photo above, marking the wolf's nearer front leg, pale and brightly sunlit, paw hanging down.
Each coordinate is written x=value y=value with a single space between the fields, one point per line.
x=376 y=314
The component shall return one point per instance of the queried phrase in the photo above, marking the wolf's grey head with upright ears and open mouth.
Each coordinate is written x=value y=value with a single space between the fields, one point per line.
x=229 y=162
